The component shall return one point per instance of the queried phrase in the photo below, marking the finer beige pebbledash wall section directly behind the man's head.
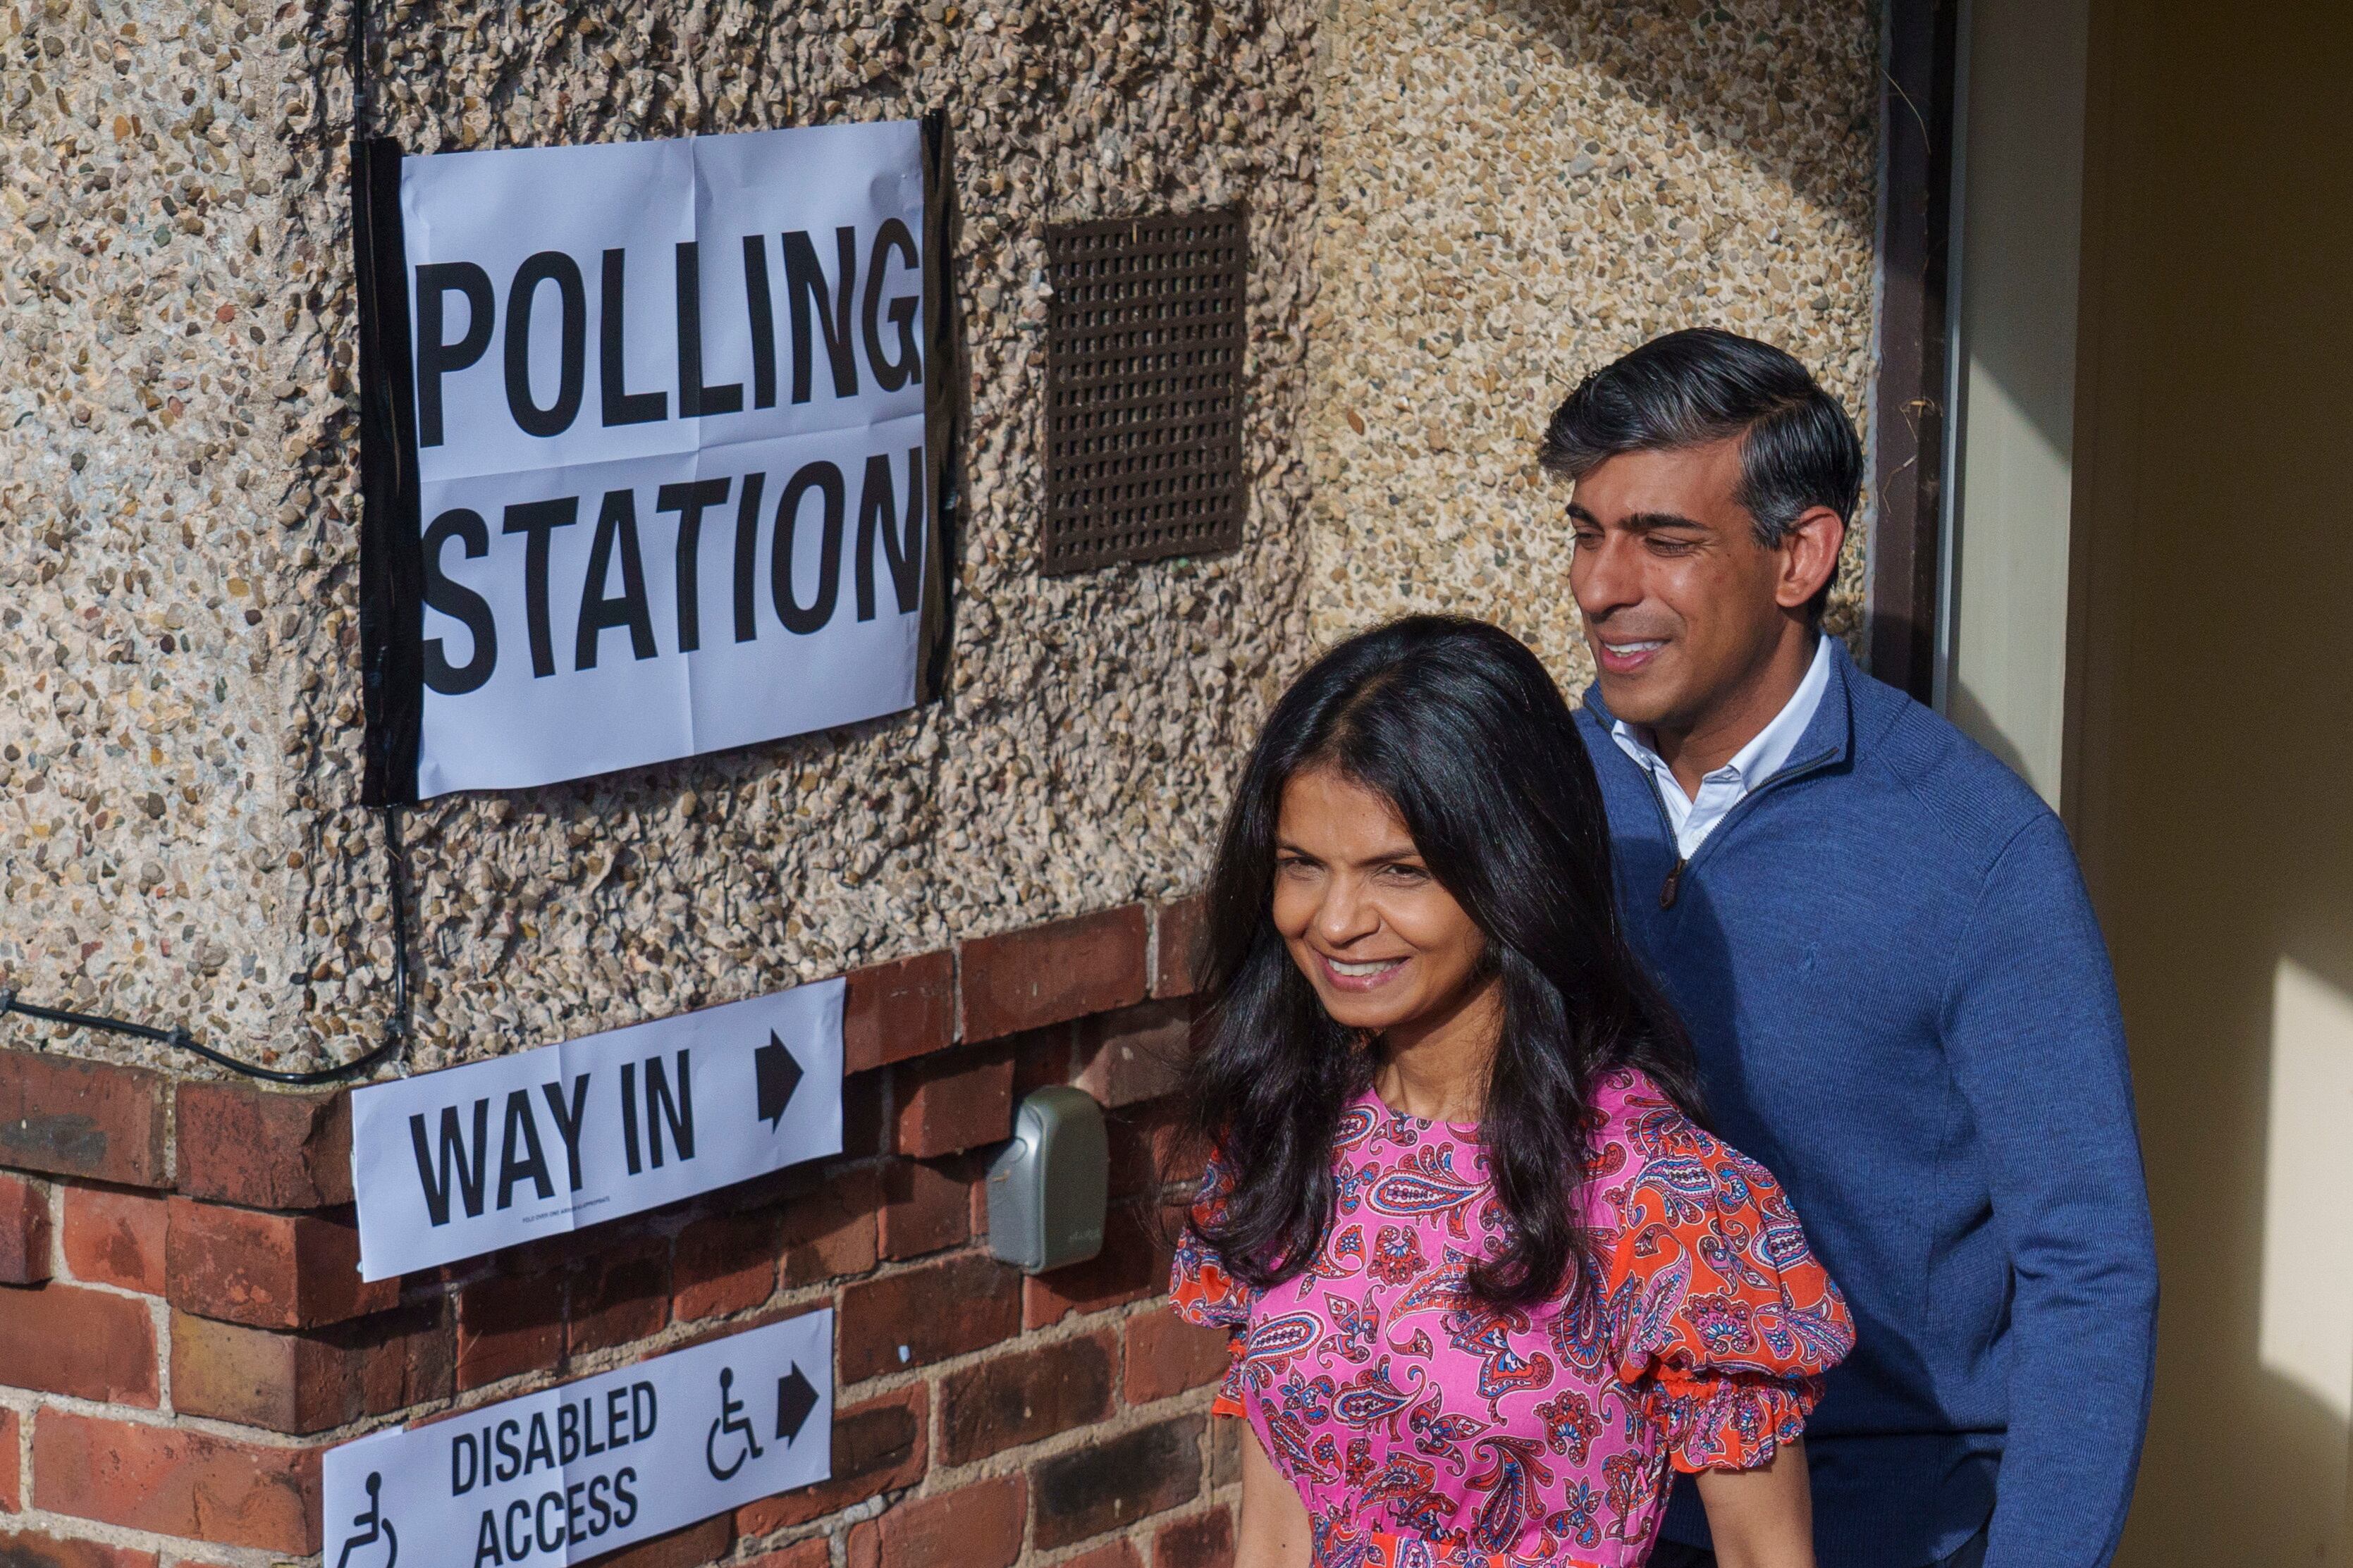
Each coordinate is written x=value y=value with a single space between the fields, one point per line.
x=1519 y=192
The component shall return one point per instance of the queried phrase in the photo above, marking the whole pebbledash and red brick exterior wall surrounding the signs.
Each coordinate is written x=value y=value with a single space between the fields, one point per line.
x=1455 y=206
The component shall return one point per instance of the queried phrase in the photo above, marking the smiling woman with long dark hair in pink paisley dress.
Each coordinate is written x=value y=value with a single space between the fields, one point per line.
x=1486 y=1275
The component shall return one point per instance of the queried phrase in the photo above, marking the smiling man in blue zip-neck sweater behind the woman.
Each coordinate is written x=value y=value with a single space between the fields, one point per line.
x=1891 y=970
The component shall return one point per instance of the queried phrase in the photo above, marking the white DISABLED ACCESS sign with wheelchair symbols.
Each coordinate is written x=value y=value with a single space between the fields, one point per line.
x=592 y=1466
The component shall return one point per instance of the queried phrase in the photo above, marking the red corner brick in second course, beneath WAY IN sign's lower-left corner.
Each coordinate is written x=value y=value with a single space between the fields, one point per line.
x=267 y=1271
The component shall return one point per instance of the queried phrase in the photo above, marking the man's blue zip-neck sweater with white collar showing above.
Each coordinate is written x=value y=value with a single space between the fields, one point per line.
x=1902 y=1007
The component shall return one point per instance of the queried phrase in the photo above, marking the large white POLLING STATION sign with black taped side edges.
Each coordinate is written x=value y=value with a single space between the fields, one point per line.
x=653 y=448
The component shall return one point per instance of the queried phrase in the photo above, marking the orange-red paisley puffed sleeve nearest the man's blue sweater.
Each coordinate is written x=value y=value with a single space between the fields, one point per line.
x=1724 y=1306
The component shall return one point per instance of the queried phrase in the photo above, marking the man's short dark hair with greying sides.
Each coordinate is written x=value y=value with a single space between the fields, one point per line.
x=1702 y=387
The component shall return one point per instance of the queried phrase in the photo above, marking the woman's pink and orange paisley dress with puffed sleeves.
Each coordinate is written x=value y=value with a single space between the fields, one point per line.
x=1429 y=1433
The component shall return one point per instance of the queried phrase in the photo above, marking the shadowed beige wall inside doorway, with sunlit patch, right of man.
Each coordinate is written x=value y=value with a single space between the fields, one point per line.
x=2215 y=742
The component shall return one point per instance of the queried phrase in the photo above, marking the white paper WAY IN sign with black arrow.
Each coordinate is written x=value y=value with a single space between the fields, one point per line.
x=462 y=1162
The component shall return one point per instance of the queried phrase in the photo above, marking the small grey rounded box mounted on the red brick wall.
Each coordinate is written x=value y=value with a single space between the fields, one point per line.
x=1048 y=1188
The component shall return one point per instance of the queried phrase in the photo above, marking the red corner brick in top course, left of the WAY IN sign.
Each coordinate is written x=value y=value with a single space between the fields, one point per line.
x=262 y=1148
